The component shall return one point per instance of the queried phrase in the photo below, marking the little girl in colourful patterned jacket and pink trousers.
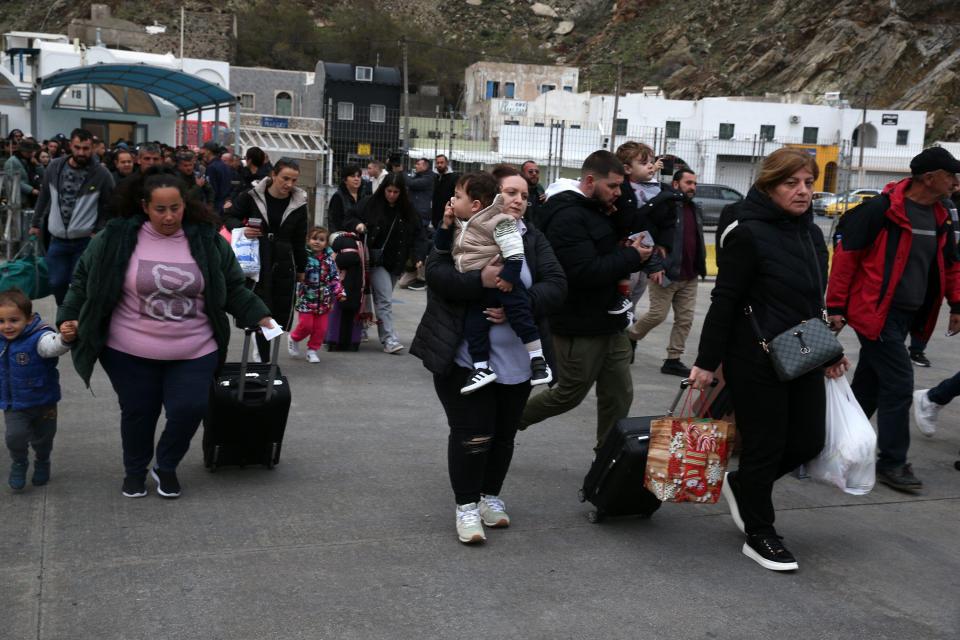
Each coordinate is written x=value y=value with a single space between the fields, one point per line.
x=321 y=286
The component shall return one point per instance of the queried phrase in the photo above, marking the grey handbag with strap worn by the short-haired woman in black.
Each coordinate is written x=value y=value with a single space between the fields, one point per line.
x=801 y=348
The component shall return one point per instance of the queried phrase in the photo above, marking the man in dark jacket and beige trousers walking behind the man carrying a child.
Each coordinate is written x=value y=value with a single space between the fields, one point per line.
x=685 y=265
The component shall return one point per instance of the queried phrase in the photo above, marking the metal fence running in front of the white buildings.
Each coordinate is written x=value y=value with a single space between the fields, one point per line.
x=560 y=146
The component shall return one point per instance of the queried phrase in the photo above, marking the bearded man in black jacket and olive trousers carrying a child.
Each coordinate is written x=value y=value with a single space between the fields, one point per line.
x=580 y=221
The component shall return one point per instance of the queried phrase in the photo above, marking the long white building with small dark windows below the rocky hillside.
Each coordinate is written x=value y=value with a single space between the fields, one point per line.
x=723 y=139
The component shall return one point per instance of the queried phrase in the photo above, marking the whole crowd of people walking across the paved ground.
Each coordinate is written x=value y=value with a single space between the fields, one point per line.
x=526 y=286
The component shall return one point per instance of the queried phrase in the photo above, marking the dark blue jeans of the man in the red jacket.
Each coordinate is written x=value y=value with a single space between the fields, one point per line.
x=883 y=384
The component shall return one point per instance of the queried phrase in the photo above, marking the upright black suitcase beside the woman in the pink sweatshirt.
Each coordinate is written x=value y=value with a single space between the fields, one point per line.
x=248 y=411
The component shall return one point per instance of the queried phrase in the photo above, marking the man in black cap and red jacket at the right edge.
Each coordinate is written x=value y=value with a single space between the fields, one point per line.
x=894 y=262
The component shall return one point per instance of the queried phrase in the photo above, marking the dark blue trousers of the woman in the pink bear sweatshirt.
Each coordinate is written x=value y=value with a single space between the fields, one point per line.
x=144 y=387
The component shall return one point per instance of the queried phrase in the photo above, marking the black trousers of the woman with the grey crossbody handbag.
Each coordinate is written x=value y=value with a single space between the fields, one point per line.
x=781 y=426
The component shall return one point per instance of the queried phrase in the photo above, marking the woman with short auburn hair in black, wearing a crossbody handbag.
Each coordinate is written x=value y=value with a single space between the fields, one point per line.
x=774 y=259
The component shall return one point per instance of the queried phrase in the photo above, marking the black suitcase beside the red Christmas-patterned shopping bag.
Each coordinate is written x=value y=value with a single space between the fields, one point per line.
x=614 y=484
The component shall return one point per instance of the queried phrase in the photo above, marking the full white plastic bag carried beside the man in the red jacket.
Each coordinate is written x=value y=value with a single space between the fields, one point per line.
x=849 y=455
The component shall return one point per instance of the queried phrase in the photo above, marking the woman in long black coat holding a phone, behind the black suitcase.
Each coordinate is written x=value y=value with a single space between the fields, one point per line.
x=275 y=212
